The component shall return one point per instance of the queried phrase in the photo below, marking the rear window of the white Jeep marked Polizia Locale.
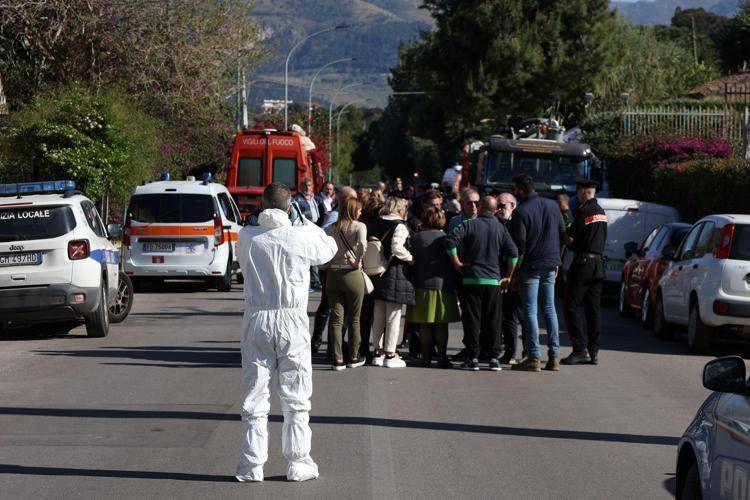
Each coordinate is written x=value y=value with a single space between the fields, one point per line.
x=37 y=223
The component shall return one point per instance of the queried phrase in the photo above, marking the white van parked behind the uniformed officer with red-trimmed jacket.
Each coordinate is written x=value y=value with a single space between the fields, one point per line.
x=629 y=221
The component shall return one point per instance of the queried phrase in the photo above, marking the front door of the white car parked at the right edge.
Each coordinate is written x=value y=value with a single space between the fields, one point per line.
x=674 y=285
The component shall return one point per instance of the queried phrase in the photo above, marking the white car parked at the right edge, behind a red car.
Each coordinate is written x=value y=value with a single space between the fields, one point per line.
x=707 y=284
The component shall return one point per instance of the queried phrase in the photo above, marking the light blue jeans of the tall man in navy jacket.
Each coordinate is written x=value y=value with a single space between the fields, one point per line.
x=539 y=286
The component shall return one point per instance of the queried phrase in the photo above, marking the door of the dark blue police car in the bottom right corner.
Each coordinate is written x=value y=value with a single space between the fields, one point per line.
x=730 y=464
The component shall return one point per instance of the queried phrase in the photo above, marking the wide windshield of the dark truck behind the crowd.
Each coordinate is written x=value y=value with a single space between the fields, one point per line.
x=502 y=167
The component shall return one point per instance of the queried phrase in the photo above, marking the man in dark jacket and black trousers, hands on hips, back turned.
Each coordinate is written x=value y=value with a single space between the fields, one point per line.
x=485 y=248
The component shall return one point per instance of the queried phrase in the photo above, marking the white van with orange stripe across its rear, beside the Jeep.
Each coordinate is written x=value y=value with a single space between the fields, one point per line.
x=181 y=229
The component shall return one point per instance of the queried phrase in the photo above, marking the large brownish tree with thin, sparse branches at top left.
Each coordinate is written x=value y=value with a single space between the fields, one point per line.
x=177 y=58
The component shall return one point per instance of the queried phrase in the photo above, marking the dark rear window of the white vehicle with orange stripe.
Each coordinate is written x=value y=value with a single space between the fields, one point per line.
x=172 y=208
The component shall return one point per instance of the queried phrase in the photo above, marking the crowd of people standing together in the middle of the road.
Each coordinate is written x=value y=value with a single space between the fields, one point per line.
x=486 y=261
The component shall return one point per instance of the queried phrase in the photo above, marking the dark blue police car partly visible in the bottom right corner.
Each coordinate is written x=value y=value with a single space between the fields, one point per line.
x=713 y=457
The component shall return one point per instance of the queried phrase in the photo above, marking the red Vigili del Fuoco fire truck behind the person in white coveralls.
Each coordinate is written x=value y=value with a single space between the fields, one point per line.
x=260 y=157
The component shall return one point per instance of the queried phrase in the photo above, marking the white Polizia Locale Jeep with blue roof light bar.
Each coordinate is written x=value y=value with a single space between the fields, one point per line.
x=56 y=261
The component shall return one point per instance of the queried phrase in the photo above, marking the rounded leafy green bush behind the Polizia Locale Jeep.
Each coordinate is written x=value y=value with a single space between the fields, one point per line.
x=103 y=142
